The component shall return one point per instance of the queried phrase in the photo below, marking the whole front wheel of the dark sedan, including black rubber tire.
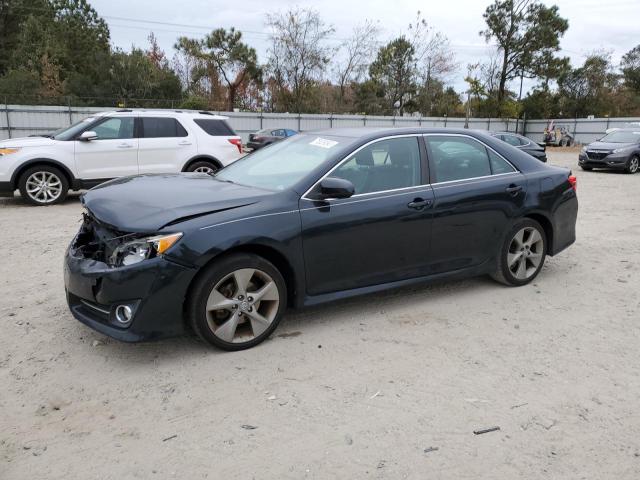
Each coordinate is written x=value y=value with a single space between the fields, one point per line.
x=237 y=302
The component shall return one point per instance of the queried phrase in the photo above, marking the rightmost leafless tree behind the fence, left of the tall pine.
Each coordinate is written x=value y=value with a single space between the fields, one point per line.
x=434 y=57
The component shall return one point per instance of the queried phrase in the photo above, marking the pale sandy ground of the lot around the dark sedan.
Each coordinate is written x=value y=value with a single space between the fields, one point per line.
x=366 y=388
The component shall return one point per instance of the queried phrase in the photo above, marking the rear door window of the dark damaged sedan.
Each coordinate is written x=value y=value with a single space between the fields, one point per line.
x=457 y=158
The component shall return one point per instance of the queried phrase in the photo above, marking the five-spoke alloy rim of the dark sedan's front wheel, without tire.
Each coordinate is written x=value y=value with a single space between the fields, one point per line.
x=242 y=305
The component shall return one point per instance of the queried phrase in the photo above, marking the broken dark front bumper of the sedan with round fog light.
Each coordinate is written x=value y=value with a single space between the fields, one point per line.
x=131 y=303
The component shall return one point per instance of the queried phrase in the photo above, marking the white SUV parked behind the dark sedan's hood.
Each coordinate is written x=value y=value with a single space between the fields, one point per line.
x=115 y=144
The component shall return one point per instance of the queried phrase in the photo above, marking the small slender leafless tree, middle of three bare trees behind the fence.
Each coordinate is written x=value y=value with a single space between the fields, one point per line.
x=358 y=49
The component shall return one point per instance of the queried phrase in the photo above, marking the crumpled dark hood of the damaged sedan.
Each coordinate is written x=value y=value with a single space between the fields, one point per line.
x=146 y=203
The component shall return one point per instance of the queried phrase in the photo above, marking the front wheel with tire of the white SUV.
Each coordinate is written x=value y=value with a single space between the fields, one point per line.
x=43 y=185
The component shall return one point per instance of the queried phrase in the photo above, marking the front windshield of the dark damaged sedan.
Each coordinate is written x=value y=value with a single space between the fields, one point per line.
x=282 y=164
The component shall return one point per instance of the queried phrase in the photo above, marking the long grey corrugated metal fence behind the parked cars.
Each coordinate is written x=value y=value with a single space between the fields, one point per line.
x=25 y=120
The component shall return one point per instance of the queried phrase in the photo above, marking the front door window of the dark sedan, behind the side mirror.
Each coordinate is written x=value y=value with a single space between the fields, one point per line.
x=384 y=165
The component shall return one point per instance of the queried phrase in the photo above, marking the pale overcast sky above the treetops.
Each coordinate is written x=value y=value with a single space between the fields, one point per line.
x=612 y=25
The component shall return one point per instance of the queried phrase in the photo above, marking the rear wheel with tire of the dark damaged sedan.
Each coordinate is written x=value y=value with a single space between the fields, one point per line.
x=522 y=254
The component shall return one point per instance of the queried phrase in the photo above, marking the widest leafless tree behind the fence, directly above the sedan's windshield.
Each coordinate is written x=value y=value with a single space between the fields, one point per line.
x=298 y=54
